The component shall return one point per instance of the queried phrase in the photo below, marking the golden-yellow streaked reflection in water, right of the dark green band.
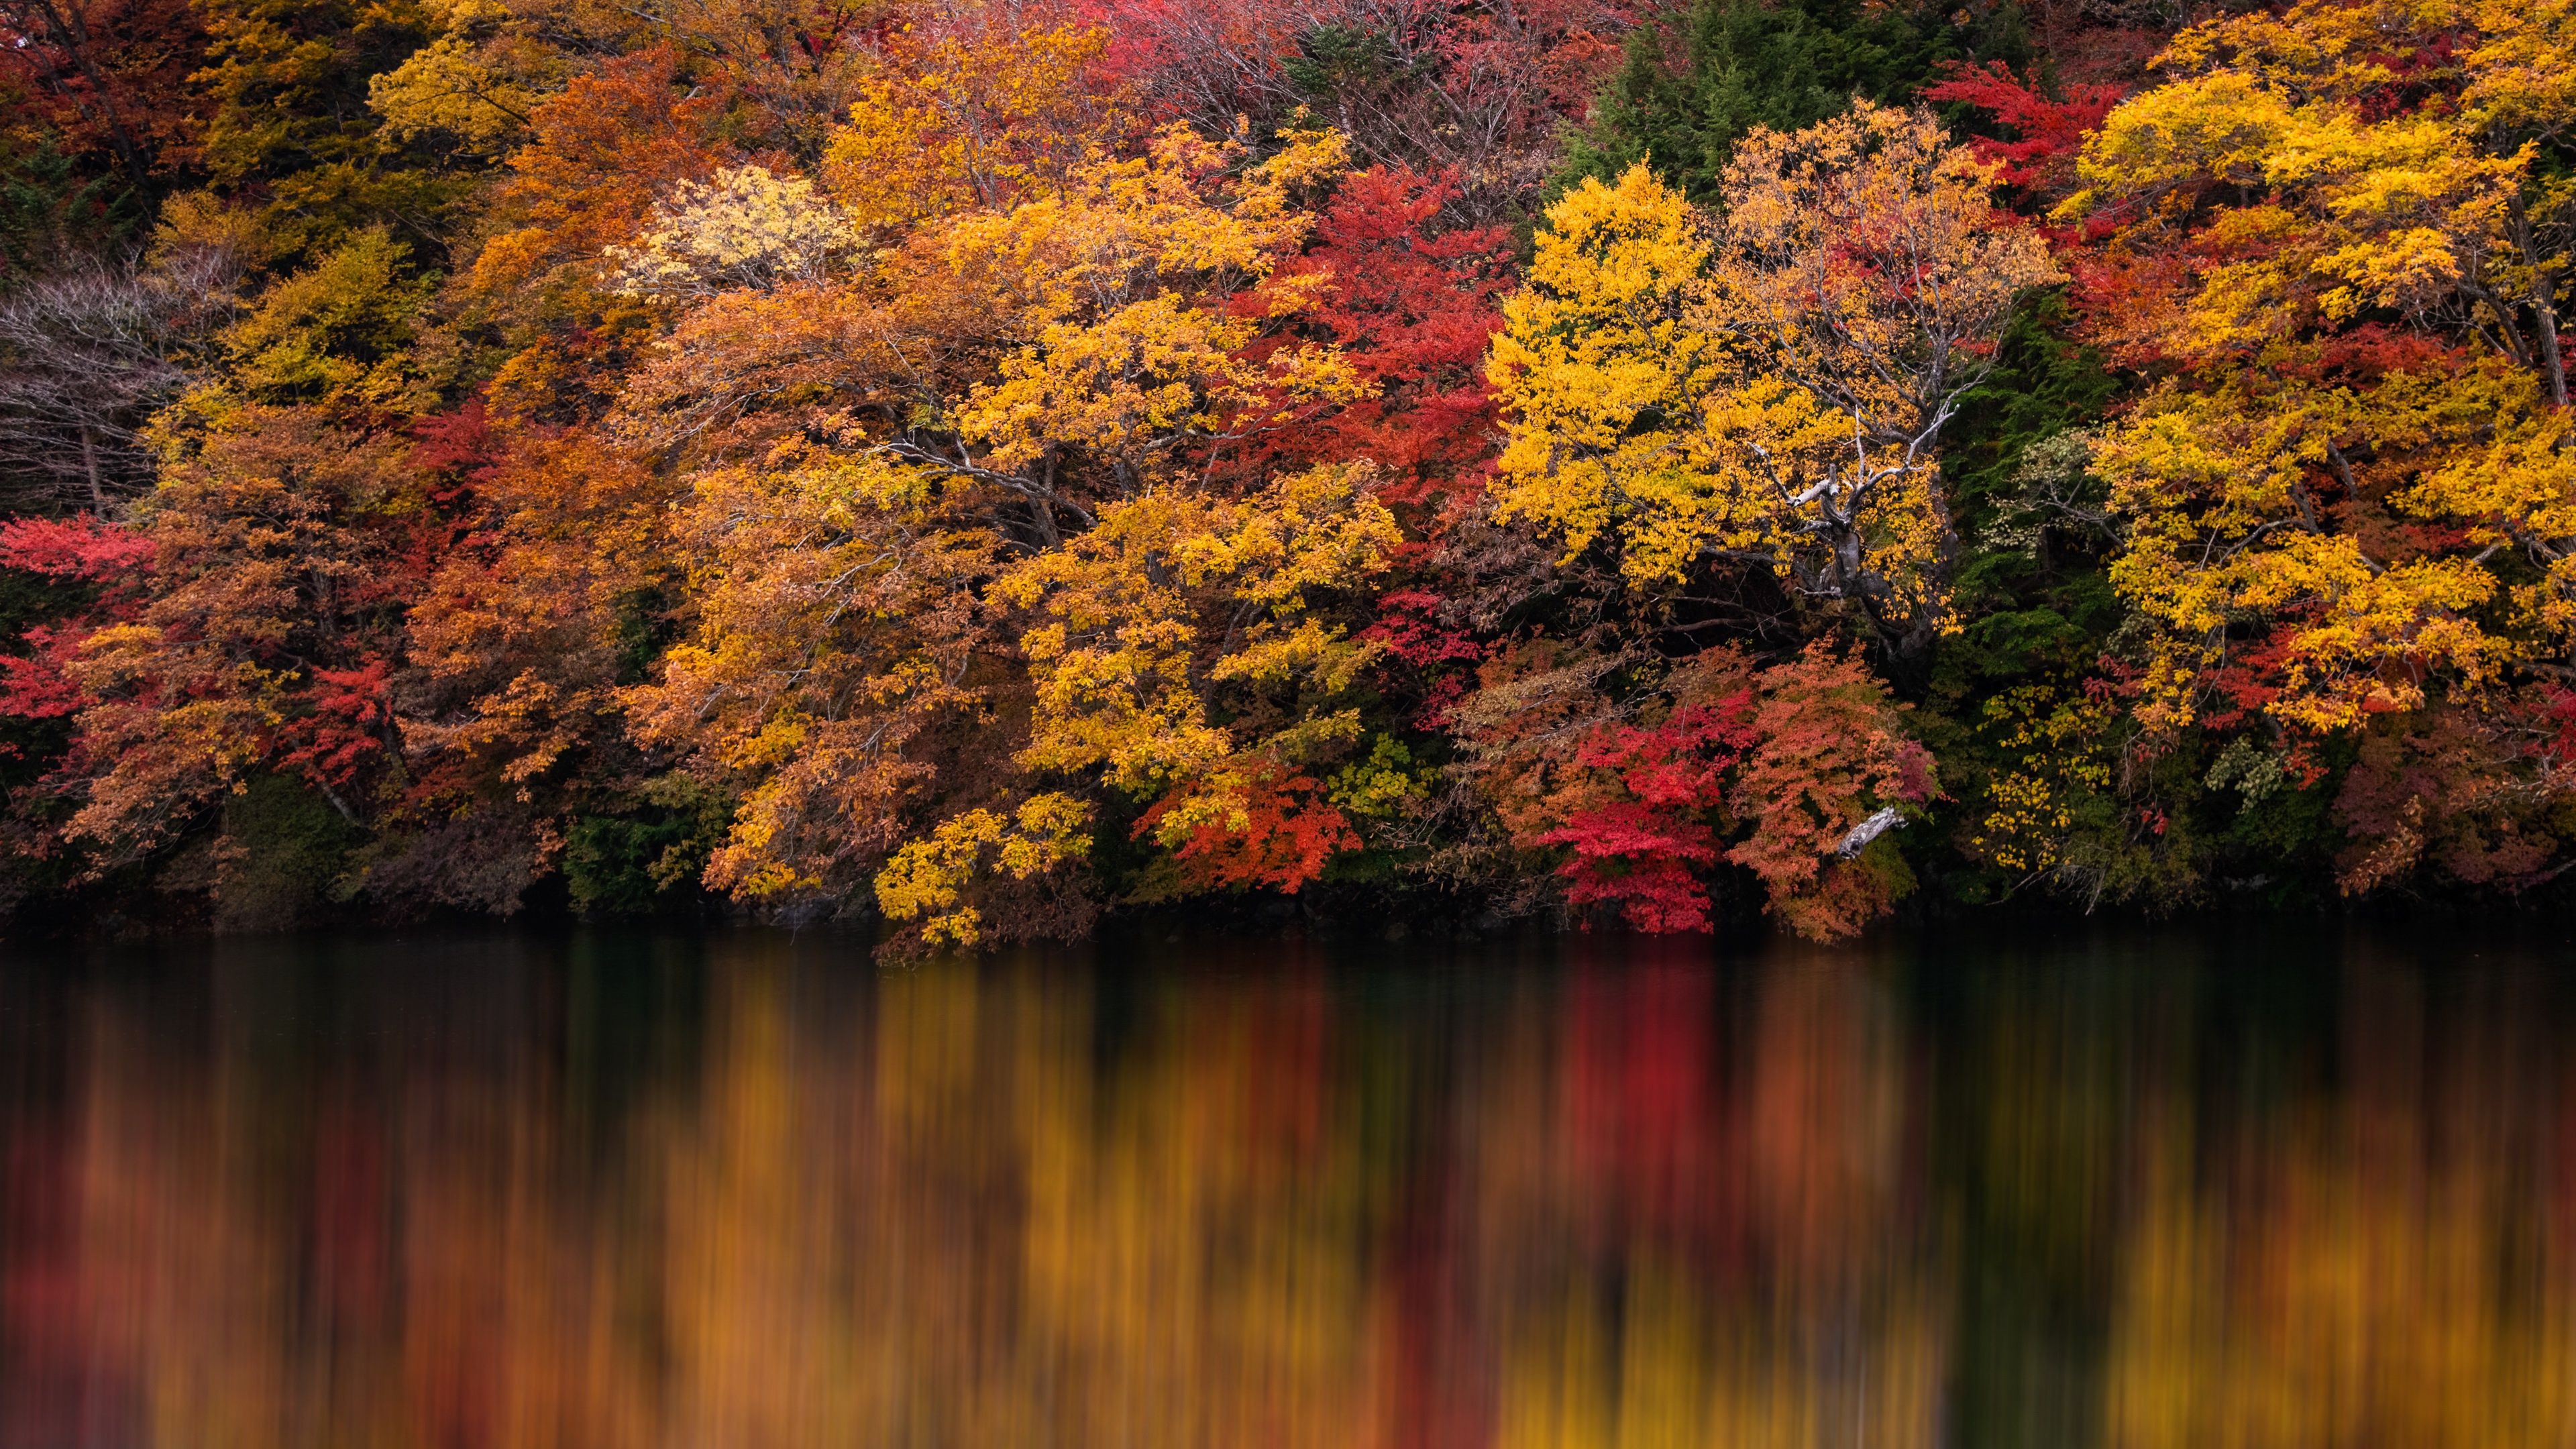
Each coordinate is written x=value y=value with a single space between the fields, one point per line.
x=2376 y=1267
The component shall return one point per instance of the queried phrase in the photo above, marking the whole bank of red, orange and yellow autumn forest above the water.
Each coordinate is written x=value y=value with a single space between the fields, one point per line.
x=985 y=468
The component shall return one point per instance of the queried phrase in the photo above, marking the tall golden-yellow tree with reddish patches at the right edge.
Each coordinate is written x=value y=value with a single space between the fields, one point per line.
x=2348 y=499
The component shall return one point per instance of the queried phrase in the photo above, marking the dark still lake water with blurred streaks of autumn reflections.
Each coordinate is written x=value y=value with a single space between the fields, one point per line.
x=2214 y=1187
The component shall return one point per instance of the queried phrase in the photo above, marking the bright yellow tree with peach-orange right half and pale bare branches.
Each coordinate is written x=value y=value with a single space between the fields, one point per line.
x=1768 y=385
